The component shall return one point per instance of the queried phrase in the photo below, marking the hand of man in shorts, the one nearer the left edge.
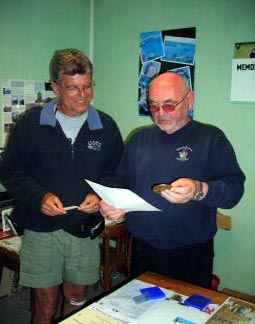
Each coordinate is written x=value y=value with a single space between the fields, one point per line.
x=51 y=205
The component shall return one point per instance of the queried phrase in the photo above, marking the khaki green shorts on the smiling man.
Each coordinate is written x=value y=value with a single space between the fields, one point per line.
x=48 y=259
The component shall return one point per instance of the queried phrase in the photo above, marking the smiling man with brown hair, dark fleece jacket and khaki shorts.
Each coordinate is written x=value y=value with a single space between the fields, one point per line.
x=51 y=151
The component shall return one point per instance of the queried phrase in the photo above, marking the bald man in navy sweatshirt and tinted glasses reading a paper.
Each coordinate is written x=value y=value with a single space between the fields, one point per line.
x=185 y=168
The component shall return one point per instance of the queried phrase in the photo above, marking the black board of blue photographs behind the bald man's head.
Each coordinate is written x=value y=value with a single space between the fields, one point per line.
x=162 y=51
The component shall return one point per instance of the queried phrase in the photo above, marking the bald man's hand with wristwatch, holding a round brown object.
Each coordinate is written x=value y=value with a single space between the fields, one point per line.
x=182 y=190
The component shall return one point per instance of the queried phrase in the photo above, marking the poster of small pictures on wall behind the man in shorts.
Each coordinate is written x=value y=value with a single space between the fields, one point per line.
x=19 y=96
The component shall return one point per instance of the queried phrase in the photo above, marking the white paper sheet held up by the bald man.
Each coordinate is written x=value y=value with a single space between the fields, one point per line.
x=121 y=198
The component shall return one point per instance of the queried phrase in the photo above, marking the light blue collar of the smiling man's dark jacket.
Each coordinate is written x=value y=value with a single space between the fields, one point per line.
x=48 y=117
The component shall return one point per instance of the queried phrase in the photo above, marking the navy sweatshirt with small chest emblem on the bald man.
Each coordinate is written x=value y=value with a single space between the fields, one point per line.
x=197 y=151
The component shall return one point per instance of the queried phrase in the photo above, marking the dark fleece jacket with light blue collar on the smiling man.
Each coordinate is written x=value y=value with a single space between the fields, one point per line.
x=39 y=158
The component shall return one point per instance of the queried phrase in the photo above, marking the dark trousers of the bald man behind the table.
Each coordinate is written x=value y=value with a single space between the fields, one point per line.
x=191 y=263
